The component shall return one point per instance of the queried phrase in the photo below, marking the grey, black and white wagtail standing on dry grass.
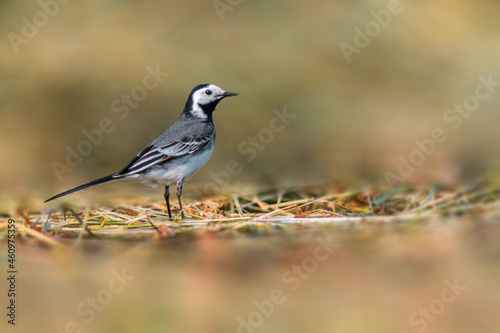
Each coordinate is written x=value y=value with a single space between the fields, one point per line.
x=176 y=154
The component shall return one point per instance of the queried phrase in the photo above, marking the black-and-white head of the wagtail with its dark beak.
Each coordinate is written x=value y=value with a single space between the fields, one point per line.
x=204 y=98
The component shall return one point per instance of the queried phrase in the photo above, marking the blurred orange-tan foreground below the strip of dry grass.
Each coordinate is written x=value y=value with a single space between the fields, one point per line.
x=379 y=278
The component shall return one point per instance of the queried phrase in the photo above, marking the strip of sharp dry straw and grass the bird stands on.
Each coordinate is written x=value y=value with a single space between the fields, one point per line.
x=259 y=214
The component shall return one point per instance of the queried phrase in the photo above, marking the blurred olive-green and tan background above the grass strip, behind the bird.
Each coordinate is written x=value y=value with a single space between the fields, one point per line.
x=352 y=121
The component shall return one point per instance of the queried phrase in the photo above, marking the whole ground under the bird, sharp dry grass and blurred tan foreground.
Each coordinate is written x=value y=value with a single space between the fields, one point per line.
x=313 y=259
